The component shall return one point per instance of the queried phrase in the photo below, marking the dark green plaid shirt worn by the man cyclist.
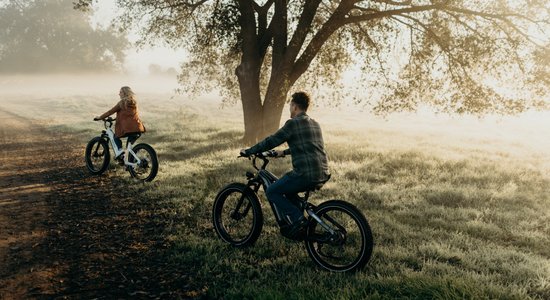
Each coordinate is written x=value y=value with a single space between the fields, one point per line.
x=305 y=141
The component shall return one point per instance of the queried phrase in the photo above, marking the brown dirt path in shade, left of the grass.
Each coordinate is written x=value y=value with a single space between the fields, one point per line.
x=66 y=234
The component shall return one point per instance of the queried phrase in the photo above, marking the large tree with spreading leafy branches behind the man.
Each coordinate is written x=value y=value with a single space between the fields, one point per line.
x=461 y=56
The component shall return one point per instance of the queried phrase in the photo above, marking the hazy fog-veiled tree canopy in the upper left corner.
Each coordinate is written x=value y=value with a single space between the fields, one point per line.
x=50 y=36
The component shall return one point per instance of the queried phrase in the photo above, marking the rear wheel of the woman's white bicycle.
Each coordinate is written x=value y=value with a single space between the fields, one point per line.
x=148 y=167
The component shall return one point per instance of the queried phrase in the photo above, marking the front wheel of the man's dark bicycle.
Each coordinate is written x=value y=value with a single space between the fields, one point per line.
x=237 y=215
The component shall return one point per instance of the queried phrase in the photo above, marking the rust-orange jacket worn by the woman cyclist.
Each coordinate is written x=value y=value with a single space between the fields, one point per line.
x=127 y=120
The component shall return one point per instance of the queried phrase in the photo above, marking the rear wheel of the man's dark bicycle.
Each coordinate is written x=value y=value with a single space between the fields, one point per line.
x=350 y=248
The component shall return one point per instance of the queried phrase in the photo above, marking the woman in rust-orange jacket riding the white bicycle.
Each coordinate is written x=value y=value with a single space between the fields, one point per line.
x=128 y=123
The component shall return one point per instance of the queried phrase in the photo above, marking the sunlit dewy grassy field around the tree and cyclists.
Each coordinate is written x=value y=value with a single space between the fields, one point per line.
x=460 y=208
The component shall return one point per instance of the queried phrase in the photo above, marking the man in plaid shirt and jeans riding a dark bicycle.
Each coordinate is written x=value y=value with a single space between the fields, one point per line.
x=309 y=161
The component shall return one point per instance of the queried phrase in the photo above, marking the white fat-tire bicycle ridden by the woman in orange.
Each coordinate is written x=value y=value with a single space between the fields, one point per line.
x=140 y=160
